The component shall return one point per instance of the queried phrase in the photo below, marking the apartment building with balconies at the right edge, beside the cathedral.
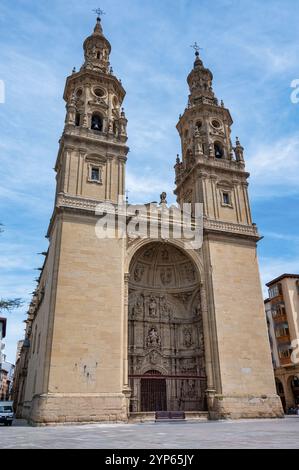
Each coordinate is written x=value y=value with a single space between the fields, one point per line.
x=282 y=311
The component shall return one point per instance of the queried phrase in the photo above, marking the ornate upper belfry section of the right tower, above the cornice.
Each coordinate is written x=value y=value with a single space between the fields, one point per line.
x=212 y=170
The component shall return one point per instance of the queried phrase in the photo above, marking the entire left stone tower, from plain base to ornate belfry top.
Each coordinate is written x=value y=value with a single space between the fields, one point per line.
x=77 y=373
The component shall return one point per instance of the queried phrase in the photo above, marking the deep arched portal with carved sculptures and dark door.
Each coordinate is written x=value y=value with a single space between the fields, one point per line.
x=166 y=342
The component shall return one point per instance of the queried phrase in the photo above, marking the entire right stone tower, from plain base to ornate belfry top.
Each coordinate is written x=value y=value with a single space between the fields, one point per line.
x=212 y=172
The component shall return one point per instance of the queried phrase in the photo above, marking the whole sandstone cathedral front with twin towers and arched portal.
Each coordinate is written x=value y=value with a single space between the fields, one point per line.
x=120 y=328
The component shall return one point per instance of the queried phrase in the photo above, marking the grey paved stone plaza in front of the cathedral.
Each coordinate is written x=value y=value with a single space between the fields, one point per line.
x=266 y=434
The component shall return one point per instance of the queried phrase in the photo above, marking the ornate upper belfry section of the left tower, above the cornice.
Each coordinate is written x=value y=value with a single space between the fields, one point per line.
x=93 y=151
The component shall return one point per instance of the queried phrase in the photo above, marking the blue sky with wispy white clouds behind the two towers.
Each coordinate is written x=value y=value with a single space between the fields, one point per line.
x=252 y=48
